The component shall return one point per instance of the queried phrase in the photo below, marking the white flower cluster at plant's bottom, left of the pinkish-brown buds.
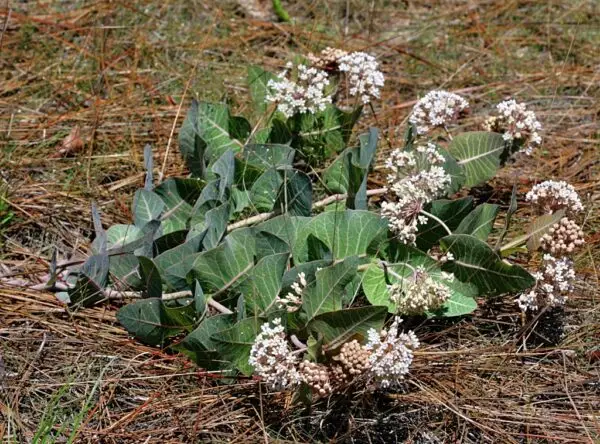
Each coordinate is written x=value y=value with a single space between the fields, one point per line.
x=272 y=358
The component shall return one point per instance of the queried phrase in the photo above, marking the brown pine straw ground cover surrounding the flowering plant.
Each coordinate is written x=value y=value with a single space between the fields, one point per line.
x=85 y=85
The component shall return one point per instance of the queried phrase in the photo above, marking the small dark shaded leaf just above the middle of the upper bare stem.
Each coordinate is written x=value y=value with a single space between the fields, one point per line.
x=295 y=195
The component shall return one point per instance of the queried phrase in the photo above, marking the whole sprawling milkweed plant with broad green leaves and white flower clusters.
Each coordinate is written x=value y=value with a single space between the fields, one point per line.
x=270 y=260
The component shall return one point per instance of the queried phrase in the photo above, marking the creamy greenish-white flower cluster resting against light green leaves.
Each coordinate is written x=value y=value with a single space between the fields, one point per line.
x=420 y=293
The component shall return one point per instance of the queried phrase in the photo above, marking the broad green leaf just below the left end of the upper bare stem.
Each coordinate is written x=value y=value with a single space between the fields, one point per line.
x=225 y=264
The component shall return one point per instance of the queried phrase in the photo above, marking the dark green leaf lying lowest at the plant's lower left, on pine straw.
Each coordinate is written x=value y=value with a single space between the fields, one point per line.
x=153 y=322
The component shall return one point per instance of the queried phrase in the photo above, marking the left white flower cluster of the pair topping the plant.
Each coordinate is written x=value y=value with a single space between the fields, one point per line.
x=305 y=95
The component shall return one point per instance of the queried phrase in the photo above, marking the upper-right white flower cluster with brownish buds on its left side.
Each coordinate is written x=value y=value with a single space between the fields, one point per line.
x=517 y=123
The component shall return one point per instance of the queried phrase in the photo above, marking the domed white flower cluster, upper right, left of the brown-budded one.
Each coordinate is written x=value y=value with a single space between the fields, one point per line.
x=436 y=109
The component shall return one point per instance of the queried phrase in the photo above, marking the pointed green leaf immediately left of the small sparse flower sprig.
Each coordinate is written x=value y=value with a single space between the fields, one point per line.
x=262 y=284
